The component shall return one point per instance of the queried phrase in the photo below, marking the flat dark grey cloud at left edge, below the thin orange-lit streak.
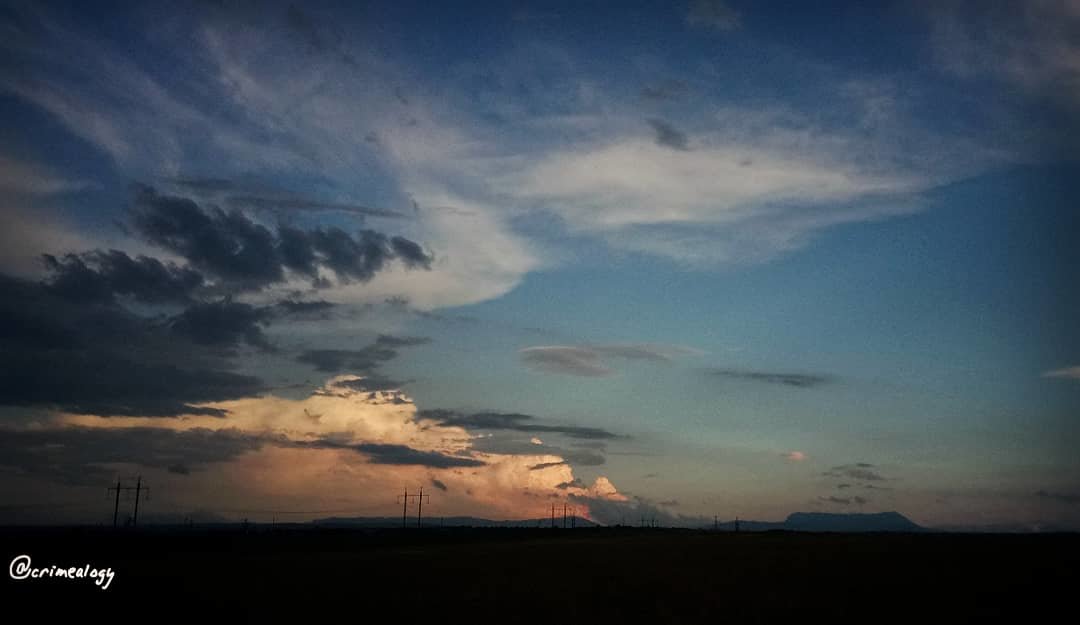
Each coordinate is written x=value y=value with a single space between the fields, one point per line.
x=84 y=455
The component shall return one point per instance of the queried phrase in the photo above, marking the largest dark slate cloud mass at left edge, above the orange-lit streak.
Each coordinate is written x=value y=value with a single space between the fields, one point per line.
x=102 y=359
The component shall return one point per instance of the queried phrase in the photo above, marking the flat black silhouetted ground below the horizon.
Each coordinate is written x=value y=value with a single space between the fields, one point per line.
x=510 y=576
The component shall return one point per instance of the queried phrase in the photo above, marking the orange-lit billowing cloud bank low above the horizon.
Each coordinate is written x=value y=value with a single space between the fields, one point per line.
x=317 y=458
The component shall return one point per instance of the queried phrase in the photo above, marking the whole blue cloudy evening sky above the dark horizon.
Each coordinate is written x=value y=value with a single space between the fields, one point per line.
x=677 y=261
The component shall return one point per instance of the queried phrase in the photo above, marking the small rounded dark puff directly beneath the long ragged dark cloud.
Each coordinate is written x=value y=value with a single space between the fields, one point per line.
x=224 y=324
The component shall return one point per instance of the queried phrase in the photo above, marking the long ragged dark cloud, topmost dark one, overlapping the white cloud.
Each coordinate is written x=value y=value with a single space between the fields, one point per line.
x=246 y=255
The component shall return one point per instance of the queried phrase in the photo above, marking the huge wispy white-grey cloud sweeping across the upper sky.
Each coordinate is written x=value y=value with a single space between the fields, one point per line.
x=762 y=182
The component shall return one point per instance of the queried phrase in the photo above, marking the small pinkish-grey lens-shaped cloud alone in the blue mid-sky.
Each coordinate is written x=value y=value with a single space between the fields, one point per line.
x=590 y=361
